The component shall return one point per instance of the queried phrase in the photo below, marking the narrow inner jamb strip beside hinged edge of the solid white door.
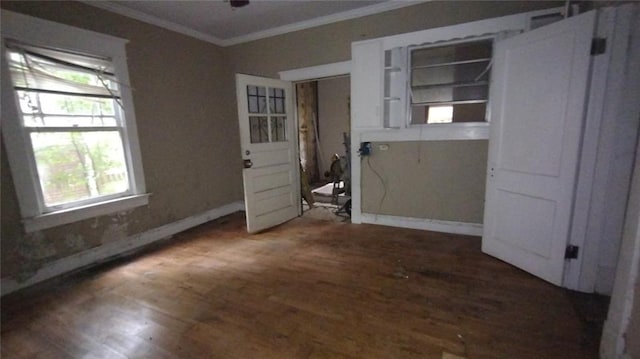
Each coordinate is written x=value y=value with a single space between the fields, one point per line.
x=591 y=186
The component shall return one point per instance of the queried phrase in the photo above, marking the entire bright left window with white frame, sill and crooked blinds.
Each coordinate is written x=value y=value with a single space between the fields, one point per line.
x=71 y=136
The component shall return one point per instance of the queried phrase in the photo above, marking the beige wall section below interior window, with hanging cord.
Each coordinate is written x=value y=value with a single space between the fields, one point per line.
x=443 y=180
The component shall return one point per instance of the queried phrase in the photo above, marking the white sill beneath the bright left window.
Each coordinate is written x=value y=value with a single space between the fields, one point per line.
x=67 y=216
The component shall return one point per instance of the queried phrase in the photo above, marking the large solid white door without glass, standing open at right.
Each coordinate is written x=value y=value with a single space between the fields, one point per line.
x=539 y=92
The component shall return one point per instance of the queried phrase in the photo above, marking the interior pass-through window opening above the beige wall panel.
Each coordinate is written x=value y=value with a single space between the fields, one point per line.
x=450 y=83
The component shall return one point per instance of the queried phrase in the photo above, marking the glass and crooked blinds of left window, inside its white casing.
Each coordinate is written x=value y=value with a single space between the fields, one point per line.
x=71 y=110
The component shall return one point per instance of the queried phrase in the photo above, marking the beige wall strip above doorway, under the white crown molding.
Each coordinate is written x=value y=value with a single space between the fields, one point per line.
x=332 y=43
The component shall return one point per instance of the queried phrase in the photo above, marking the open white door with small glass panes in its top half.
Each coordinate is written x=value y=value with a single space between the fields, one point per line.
x=267 y=138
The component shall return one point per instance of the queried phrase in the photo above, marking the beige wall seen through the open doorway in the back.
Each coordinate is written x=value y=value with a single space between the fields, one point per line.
x=333 y=117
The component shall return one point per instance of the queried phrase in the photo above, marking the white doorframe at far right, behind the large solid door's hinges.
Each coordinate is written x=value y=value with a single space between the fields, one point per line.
x=607 y=161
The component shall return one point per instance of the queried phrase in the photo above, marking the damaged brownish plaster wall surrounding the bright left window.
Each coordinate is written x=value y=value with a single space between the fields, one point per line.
x=188 y=138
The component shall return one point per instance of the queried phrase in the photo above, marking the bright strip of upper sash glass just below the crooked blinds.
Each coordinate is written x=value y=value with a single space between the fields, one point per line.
x=53 y=104
